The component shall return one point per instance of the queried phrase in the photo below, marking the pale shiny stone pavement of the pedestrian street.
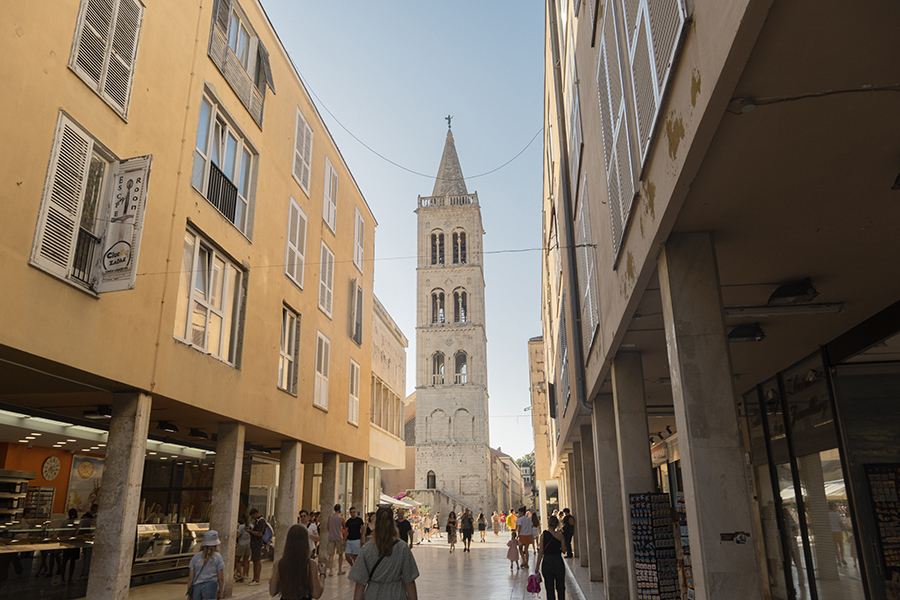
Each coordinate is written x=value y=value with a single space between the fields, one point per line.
x=482 y=574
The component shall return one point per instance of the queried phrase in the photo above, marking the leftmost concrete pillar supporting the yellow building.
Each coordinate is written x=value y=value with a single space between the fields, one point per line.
x=113 y=548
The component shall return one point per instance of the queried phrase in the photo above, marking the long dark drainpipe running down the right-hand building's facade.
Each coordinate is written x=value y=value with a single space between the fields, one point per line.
x=574 y=299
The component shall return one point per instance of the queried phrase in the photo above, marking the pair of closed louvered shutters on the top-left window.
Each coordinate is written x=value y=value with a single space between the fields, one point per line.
x=104 y=51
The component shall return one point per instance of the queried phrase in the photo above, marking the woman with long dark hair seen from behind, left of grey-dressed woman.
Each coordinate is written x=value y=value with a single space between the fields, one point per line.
x=296 y=576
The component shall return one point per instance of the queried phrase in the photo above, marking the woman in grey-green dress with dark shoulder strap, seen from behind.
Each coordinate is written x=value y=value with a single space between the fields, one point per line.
x=385 y=569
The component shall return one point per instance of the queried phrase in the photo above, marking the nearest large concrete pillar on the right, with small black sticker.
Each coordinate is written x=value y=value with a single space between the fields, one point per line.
x=709 y=439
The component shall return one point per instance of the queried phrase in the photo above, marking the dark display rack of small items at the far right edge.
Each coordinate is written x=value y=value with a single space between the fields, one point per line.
x=884 y=481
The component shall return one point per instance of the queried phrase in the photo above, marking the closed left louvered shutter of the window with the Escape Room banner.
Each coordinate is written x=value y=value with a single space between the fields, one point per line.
x=63 y=196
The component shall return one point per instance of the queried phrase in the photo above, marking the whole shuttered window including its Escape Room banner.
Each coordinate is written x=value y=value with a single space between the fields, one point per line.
x=92 y=210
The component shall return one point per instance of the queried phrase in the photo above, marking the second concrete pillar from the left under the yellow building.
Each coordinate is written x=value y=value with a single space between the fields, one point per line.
x=226 y=493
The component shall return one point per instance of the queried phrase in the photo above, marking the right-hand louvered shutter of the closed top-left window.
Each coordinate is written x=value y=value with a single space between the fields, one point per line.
x=123 y=52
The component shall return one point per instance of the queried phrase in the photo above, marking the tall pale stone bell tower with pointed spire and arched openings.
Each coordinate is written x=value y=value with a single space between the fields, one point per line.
x=452 y=435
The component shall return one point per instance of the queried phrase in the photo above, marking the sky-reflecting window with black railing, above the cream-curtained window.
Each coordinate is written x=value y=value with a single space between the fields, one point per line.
x=224 y=163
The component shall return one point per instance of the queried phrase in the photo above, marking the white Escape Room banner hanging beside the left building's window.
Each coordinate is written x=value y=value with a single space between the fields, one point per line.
x=116 y=265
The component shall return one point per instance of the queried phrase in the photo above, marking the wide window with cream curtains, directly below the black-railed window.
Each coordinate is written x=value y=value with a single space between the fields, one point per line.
x=209 y=299
